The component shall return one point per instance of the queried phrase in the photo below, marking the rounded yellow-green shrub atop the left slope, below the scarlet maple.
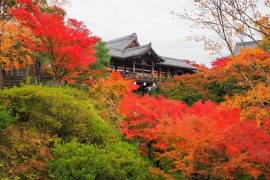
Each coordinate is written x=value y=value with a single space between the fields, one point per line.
x=61 y=111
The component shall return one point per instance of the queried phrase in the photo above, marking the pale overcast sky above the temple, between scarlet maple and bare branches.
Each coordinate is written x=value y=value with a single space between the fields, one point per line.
x=150 y=19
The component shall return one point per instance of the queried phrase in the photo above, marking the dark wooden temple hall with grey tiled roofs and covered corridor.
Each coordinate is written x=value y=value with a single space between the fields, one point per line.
x=142 y=63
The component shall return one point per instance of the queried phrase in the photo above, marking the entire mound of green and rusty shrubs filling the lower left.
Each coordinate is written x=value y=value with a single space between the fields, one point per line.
x=45 y=121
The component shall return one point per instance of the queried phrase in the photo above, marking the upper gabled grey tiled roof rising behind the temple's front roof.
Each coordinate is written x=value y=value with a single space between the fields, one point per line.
x=123 y=42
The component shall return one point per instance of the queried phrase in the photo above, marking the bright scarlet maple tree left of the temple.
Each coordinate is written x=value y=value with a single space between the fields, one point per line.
x=68 y=45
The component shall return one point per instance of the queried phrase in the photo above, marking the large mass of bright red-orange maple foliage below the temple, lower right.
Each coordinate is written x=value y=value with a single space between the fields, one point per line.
x=203 y=139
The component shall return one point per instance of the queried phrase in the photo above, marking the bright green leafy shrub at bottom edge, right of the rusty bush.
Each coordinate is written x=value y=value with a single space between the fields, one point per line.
x=81 y=161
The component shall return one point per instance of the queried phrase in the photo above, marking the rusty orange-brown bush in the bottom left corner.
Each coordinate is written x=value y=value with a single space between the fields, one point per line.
x=24 y=151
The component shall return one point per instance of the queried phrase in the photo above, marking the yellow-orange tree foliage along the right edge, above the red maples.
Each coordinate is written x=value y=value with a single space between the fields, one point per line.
x=251 y=68
